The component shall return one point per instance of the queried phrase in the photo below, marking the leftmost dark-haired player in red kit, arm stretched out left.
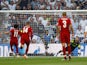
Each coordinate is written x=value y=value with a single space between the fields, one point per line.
x=14 y=32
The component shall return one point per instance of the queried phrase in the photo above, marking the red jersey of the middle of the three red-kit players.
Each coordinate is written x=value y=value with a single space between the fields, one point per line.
x=27 y=32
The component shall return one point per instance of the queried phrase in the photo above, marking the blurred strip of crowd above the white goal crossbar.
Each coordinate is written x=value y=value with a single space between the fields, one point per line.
x=43 y=4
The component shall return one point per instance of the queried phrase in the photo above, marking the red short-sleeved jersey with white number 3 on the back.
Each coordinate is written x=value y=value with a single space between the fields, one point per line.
x=64 y=23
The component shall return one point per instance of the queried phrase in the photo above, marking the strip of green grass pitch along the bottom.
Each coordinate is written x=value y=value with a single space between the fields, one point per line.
x=43 y=61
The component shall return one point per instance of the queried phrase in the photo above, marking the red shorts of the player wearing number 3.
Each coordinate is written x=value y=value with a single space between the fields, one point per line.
x=65 y=37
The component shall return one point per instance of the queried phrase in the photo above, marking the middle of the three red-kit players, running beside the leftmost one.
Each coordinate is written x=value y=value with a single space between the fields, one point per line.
x=26 y=37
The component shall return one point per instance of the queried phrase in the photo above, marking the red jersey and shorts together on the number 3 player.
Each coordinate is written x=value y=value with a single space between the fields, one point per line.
x=64 y=23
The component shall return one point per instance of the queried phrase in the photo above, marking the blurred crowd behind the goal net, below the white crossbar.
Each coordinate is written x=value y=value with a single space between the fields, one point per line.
x=44 y=26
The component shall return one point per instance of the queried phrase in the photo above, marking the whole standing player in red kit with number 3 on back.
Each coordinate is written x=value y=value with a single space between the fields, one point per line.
x=64 y=28
